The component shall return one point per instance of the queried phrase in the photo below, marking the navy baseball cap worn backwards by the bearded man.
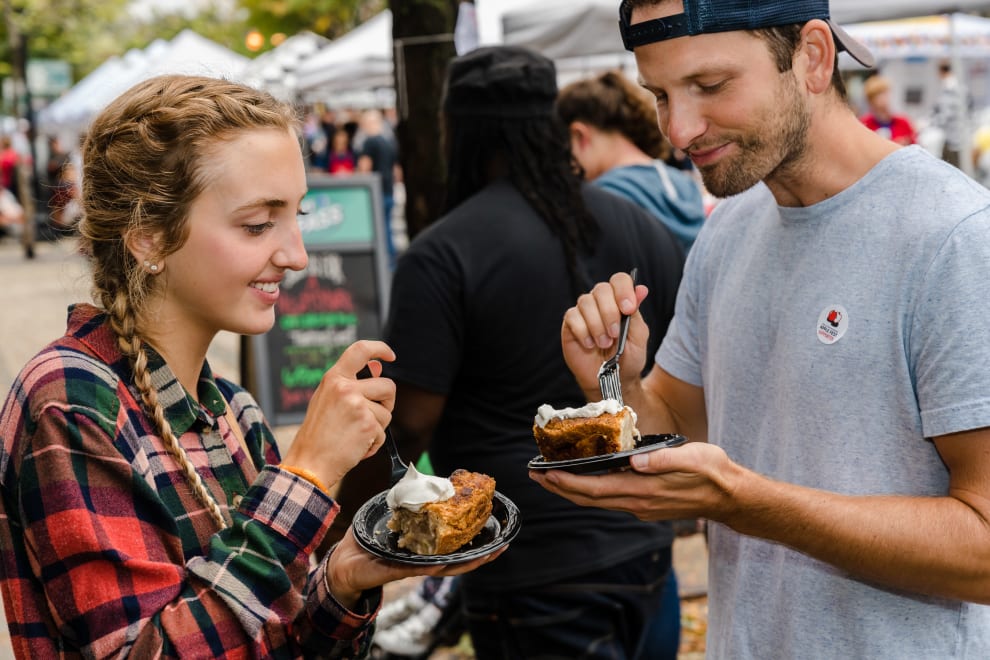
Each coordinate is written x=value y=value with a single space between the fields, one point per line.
x=706 y=16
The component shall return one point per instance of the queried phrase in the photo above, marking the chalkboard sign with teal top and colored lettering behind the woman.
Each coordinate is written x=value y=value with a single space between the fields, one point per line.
x=340 y=297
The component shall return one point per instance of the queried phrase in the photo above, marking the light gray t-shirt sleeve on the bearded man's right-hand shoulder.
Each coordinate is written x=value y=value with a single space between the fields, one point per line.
x=950 y=340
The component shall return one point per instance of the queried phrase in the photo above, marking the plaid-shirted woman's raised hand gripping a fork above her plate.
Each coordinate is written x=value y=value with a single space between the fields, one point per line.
x=346 y=418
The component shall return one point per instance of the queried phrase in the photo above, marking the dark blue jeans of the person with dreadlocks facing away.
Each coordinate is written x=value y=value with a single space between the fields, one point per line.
x=600 y=615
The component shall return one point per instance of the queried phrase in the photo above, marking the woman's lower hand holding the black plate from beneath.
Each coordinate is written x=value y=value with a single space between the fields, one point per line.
x=351 y=570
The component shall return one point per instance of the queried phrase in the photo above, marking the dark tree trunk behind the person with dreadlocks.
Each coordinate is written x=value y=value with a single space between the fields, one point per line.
x=422 y=31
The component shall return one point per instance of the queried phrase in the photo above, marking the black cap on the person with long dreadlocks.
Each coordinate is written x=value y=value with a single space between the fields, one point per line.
x=501 y=81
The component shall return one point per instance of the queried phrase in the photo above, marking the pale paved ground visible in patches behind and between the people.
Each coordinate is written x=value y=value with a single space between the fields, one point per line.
x=38 y=292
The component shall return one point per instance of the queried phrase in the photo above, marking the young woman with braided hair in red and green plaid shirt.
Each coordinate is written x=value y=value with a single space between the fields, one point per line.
x=144 y=507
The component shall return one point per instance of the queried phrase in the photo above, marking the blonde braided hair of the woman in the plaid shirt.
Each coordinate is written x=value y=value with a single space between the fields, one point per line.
x=142 y=170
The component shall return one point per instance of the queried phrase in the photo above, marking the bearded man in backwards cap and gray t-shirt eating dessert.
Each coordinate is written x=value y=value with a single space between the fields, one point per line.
x=829 y=342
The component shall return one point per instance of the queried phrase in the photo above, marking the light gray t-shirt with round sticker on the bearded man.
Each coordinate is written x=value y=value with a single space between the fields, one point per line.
x=831 y=341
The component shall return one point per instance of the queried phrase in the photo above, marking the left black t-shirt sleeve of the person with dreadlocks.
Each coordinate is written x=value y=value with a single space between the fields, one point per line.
x=425 y=324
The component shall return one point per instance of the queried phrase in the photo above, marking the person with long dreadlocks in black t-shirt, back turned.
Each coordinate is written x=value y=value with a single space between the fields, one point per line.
x=474 y=320
